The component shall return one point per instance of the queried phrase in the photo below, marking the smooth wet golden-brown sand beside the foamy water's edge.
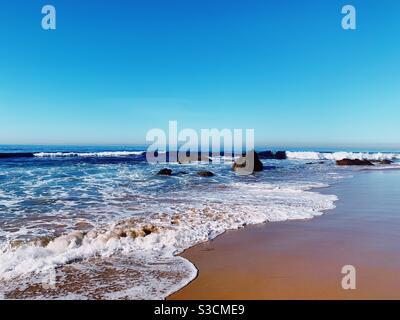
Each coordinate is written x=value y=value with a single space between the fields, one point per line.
x=303 y=259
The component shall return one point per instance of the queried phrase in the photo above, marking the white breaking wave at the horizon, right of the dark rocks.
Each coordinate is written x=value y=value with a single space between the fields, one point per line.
x=310 y=155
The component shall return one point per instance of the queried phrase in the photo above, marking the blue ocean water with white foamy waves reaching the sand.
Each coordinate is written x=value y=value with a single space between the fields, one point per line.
x=99 y=223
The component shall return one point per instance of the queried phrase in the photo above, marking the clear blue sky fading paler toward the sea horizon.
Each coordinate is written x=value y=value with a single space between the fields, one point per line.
x=115 y=69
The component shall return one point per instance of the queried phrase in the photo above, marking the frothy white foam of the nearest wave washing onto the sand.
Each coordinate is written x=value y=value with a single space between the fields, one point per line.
x=285 y=203
